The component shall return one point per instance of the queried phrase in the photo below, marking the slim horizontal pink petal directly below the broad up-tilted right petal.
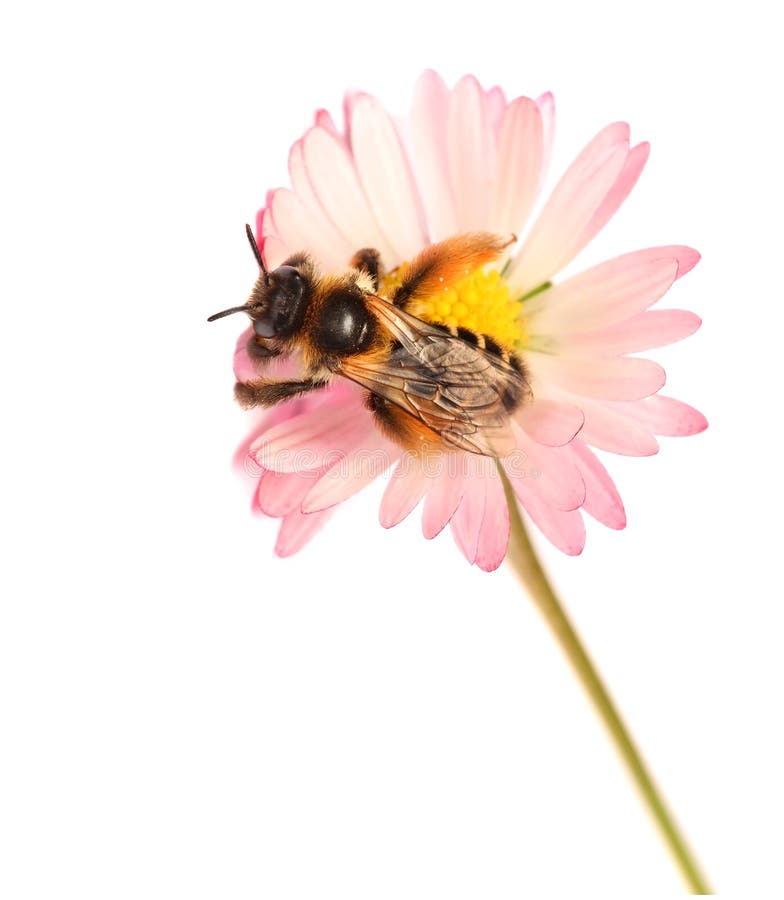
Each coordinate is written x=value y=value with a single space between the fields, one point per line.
x=655 y=328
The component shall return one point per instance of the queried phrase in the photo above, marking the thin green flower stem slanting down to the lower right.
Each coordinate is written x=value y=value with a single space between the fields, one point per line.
x=525 y=563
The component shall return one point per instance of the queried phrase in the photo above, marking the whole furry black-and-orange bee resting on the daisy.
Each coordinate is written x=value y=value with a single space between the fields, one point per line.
x=428 y=386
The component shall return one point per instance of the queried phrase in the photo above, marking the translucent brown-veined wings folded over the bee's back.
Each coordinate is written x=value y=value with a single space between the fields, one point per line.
x=454 y=388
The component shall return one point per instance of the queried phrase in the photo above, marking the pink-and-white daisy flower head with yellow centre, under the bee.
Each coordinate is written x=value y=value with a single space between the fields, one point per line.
x=467 y=160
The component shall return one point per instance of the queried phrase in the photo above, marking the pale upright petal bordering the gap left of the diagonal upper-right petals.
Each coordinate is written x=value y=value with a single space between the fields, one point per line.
x=520 y=150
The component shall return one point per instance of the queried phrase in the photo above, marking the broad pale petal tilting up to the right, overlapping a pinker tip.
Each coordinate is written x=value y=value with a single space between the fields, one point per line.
x=601 y=296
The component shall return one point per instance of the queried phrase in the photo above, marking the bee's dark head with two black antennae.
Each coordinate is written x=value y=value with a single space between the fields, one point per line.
x=277 y=302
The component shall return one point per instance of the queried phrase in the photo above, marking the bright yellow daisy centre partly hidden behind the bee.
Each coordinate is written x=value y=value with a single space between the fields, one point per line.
x=480 y=302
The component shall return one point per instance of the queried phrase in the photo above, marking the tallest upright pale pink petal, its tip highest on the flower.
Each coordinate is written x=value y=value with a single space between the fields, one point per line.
x=429 y=116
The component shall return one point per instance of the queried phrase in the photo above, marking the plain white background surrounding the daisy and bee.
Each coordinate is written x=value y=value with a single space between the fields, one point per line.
x=184 y=715
